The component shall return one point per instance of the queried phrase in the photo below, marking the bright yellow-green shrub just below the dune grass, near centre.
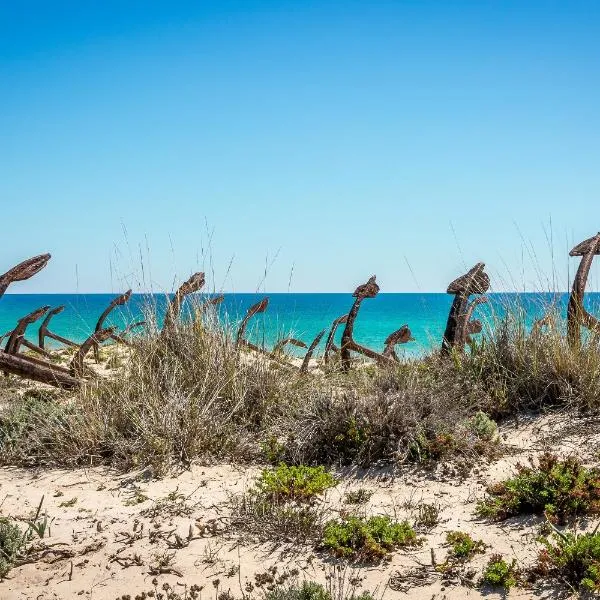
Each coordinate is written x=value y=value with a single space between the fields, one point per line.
x=298 y=483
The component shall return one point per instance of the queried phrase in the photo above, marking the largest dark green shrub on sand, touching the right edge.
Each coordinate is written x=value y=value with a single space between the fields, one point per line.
x=559 y=488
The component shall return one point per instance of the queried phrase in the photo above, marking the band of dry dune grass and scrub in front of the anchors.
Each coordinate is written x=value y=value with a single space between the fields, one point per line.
x=192 y=395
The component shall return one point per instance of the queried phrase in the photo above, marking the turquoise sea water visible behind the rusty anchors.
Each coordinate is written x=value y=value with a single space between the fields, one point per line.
x=301 y=315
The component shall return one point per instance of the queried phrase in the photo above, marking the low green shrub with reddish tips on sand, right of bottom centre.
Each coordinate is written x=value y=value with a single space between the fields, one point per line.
x=367 y=539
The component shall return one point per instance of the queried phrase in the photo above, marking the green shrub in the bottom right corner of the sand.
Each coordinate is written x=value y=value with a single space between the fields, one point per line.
x=572 y=557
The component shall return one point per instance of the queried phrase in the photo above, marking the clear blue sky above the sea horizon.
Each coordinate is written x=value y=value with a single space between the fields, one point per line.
x=298 y=145
